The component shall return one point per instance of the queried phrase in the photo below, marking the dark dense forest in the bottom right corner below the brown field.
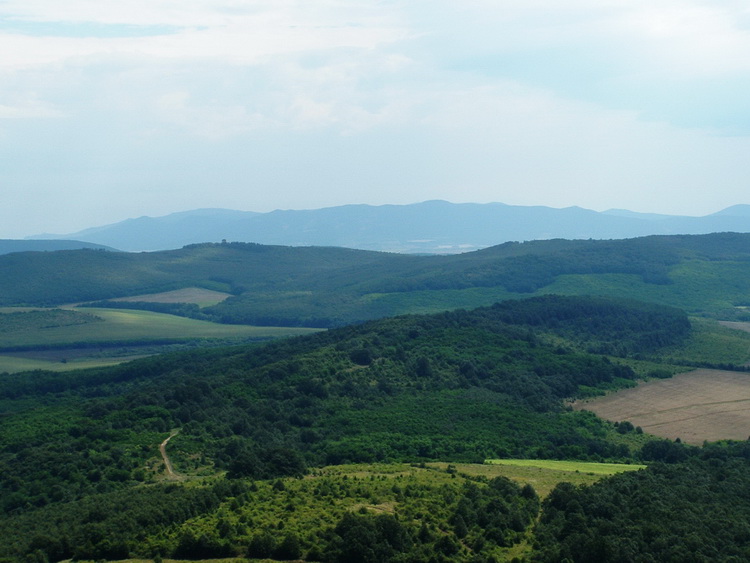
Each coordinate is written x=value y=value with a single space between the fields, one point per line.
x=691 y=505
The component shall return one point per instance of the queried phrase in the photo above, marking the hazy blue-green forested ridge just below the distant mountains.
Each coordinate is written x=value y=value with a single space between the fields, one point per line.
x=324 y=287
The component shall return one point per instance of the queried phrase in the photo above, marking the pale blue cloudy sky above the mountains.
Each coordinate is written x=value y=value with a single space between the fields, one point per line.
x=112 y=109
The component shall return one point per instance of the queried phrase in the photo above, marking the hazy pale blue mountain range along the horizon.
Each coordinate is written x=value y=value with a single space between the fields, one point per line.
x=429 y=227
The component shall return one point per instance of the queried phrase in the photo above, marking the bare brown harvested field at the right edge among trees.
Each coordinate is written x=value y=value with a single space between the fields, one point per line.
x=696 y=406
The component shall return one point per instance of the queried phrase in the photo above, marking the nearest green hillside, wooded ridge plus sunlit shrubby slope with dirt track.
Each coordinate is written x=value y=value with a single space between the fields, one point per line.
x=82 y=475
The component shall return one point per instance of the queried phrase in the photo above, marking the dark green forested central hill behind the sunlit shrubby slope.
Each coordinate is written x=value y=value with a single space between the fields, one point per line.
x=456 y=386
